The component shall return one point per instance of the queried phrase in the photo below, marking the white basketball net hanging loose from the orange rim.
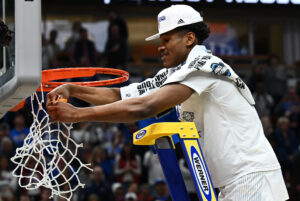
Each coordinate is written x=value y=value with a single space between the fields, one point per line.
x=48 y=157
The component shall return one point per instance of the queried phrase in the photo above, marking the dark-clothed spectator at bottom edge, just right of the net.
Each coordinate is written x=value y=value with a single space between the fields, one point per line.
x=97 y=186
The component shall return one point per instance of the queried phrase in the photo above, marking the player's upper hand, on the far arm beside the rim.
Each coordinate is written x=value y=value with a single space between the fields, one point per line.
x=61 y=92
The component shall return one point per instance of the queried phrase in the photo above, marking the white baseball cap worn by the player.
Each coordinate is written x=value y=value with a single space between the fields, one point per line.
x=175 y=16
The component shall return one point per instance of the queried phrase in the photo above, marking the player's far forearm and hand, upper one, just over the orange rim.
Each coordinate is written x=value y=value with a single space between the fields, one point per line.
x=92 y=95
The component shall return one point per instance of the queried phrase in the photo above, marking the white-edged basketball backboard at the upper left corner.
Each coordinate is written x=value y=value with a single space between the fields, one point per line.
x=20 y=63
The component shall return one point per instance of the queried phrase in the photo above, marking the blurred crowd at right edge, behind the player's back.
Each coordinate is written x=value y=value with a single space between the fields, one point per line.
x=276 y=90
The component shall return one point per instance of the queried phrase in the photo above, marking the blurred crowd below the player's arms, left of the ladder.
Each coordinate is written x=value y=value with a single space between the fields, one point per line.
x=121 y=171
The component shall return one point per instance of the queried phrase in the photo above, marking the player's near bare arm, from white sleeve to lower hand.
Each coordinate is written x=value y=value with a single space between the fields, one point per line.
x=129 y=110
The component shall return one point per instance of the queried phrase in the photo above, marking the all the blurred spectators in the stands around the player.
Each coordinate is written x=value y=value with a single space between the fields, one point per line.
x=124 y=172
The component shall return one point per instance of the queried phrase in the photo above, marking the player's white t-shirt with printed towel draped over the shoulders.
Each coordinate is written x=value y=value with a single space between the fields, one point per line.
x=231 y=134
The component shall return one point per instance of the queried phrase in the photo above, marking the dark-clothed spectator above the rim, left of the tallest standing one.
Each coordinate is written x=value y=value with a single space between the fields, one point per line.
x=84 y=52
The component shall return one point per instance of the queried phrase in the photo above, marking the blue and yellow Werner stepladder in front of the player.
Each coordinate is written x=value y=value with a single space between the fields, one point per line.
x=163 y=136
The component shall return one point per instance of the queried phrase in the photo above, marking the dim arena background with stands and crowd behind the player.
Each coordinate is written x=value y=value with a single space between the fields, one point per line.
x=260 y=40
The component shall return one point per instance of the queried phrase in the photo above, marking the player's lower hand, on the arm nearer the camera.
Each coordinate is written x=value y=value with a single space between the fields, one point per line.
x=63 y=112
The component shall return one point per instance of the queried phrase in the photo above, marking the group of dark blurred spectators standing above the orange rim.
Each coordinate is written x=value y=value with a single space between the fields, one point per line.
x=80 y=51
